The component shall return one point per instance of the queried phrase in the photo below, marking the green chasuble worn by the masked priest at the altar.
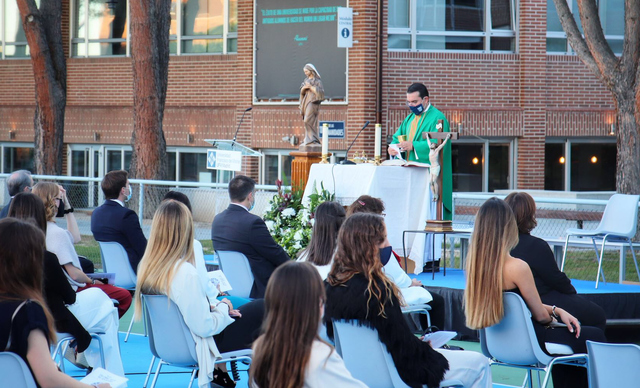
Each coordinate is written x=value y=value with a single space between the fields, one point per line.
x=421 y=146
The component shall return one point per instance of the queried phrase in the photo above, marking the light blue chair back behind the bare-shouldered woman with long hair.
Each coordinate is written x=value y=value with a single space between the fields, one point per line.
x=513 y=340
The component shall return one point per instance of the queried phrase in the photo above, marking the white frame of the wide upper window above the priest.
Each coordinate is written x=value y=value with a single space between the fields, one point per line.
x=486 y=35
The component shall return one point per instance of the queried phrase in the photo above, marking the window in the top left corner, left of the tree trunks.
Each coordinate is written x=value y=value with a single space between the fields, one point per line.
x=14 y=40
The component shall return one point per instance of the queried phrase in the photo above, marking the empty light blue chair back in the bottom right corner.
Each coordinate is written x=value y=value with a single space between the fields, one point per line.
x=613 y=365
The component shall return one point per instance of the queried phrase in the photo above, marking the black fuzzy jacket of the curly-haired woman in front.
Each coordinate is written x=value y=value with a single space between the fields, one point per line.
x=416 y=361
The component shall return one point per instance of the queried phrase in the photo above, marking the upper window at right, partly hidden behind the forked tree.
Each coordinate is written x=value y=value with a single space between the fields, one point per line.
x=611 y=14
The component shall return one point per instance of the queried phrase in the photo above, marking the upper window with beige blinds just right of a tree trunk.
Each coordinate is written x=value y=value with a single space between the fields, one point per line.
x=204 y=27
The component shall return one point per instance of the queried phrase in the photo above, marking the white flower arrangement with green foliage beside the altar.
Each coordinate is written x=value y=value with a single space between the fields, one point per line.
x=289 y=221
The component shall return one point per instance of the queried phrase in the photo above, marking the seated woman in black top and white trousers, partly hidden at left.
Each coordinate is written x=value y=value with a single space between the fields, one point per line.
x=91 y=309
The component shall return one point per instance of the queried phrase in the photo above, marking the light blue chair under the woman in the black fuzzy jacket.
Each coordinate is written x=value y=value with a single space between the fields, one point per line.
x=367 y=358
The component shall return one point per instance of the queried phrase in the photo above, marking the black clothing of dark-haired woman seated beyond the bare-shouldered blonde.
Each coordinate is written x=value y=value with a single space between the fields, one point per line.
x=553 y=285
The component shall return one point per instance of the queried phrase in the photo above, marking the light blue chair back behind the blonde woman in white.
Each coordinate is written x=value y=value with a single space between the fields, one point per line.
x=169 y=337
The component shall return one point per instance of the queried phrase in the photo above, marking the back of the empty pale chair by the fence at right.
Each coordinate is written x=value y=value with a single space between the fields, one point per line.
x=620 y=216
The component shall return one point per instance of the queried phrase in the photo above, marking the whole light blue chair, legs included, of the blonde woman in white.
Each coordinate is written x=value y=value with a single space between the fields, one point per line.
x=171 y=341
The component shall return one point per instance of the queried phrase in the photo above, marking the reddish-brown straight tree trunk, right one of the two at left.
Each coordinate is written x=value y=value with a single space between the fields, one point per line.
x=150 y=21
